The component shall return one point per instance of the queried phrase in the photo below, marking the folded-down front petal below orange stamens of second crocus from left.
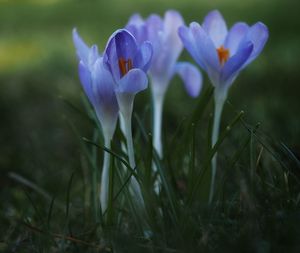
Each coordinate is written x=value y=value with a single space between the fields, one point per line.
x=134 y=81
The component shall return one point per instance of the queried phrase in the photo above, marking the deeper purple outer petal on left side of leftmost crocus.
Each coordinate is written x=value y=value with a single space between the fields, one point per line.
x=86 y=81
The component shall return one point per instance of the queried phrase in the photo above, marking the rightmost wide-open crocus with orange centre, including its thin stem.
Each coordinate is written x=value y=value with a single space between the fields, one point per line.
x=222 y=54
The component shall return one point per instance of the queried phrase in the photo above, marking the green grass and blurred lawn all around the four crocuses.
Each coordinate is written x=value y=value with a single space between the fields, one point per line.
x=48 y=203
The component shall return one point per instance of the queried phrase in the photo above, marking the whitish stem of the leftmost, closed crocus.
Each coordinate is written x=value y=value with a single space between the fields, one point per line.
x=105 y=177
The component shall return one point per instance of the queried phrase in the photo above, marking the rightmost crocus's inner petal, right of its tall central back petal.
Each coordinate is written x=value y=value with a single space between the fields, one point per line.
x=235 y=36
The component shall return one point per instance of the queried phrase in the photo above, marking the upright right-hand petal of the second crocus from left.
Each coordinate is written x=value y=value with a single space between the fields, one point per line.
x=143 y=58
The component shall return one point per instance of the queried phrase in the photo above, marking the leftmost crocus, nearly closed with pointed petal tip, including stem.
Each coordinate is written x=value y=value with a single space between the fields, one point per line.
x=98 y=85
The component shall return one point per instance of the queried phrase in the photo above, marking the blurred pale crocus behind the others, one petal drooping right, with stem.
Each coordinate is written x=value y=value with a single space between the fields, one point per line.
x=167 y=47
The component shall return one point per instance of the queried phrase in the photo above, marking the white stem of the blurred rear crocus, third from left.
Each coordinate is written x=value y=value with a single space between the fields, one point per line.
x=158 y=101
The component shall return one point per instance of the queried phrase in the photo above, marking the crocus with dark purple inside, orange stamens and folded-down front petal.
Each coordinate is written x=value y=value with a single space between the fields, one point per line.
x=128 y=63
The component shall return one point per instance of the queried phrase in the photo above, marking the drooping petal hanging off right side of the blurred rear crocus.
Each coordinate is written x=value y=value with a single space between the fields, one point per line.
x=191 y=77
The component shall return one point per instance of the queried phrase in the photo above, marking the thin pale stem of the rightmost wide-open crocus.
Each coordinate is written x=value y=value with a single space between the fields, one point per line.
x=220 y=97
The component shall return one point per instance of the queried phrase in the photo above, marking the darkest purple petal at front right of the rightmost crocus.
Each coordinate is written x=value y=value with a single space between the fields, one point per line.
x=235 y=63
